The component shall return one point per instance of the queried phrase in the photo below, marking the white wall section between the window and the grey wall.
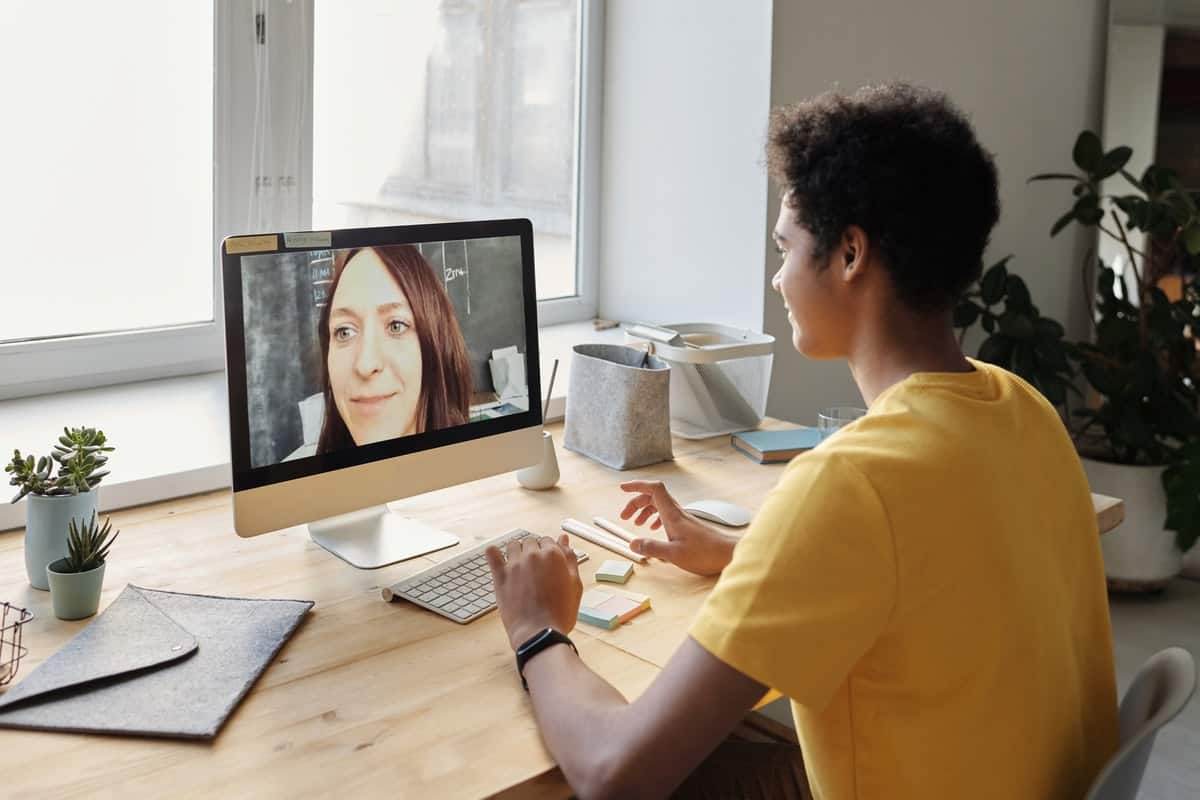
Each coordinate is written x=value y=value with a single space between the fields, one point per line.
x=687 y=95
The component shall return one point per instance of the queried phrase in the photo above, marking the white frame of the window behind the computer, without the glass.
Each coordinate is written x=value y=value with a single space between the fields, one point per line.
x=43 y=368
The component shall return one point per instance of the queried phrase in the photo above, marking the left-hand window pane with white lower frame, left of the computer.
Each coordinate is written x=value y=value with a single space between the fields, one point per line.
x=107 y=165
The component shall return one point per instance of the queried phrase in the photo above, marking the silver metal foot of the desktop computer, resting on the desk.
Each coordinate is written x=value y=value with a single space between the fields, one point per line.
x=376 y=537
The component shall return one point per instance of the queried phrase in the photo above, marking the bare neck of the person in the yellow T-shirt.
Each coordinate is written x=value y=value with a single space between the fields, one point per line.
x=898 y=346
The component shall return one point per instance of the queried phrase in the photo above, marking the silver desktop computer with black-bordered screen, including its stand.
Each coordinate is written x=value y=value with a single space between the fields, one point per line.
x=369 y=365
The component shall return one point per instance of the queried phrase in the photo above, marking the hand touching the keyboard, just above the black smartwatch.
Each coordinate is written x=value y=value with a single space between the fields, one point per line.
x=537 y=587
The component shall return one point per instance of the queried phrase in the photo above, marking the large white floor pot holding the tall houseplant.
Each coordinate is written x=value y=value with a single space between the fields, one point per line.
x=1139 y=555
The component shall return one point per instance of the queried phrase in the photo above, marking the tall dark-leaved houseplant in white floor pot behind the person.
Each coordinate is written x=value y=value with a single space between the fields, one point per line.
x=1139 y=430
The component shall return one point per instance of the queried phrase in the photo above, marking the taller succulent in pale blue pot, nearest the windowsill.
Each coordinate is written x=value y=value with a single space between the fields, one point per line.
x=61 y=488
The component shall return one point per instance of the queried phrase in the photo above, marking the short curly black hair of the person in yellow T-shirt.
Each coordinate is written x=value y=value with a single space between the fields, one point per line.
x=903 y=164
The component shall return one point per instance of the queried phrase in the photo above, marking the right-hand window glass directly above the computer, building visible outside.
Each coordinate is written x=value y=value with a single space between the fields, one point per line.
x=451 y=110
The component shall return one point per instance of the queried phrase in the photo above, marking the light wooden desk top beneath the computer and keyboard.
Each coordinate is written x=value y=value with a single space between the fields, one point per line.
x=369 y=699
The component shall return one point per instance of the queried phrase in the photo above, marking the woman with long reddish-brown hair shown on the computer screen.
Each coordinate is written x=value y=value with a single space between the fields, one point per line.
x=394 y=358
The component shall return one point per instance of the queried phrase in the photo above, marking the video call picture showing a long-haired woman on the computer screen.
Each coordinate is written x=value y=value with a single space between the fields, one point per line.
x=357 y=346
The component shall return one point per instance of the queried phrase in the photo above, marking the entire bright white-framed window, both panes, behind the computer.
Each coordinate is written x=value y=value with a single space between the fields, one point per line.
x=316 y=115
